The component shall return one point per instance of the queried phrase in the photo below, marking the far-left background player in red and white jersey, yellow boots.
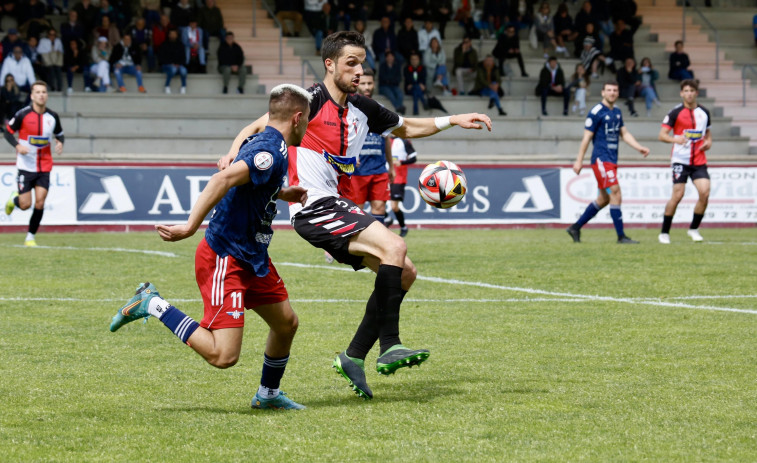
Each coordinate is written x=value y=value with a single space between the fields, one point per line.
x=38 y=128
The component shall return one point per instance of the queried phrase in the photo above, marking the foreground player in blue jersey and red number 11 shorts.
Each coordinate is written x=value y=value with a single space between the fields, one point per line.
x=232 y=266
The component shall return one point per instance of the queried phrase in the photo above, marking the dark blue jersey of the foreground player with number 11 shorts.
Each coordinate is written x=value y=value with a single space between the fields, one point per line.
x=240 y=224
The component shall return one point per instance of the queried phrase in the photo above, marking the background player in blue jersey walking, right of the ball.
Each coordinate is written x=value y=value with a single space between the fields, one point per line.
x=604 y=128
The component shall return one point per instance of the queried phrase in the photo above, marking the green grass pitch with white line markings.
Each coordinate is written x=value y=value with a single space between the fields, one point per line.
x=541 y=349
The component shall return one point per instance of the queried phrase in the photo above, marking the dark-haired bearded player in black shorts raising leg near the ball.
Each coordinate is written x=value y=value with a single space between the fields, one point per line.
x=339 y=122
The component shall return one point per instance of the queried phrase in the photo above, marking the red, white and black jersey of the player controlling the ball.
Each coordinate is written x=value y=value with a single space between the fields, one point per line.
x=327 y=156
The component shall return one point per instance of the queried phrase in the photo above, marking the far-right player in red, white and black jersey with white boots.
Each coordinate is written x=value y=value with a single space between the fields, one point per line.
x=690 y=123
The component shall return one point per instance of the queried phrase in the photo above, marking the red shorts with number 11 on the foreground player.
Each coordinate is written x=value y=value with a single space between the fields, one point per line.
x=227 y=288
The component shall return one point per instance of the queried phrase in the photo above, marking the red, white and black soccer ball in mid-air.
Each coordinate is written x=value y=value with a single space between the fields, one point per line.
x=442 y=184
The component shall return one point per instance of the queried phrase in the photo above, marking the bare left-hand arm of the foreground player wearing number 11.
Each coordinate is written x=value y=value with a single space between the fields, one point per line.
x=219 y=184
